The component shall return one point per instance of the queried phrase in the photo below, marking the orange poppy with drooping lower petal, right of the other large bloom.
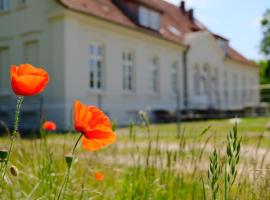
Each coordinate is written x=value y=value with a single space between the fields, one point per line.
x=94 y=125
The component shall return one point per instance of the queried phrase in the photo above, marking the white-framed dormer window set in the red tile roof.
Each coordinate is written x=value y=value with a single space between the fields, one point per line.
x=149 y=18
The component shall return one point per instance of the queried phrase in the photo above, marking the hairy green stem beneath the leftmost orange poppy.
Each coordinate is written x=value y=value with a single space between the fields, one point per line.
x=14 y=133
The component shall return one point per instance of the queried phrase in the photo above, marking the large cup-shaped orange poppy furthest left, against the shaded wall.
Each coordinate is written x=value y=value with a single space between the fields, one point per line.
x=27 y=80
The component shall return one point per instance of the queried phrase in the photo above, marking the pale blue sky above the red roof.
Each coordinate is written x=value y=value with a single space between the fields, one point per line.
x=237 y=20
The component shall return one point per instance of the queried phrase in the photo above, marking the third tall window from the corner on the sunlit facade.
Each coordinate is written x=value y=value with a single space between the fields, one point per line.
x=154 y=75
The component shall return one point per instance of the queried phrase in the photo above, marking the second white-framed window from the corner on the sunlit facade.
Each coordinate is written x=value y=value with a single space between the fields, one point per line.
x=128 y=68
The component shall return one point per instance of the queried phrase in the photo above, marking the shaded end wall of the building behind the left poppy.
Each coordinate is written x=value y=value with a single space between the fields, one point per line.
x=38 y=22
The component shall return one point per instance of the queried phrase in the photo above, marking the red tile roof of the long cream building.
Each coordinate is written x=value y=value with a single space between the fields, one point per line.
x=175 y=23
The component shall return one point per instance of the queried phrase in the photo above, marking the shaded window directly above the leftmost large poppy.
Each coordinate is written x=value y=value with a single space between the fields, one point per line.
x=31 y=52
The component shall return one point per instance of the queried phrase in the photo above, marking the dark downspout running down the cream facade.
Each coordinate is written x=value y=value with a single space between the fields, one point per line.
x=185 y=78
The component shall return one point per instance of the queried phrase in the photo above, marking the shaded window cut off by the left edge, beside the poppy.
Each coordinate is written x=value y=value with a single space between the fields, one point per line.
x=4 y=68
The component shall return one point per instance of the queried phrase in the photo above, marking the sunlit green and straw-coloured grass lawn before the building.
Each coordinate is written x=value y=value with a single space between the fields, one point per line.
x=145 y=163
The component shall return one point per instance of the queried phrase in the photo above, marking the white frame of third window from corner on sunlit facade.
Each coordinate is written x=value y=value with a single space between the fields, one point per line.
x=154 y=75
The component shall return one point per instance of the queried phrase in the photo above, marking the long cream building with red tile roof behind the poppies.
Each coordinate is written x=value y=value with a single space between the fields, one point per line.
x=122 y=55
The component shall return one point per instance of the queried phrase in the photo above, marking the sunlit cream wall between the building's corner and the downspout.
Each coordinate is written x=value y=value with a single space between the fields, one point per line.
x=82 y=30
